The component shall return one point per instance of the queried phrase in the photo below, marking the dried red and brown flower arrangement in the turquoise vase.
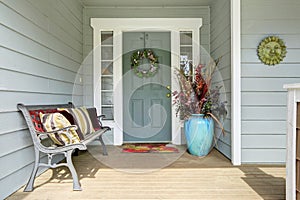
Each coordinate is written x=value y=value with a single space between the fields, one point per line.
x=196 y=95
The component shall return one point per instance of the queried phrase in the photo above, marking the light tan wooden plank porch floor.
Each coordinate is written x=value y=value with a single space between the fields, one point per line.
x=189 y=177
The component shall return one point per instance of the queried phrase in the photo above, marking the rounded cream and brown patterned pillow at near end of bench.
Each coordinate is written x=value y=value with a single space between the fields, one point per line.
x=55 y=121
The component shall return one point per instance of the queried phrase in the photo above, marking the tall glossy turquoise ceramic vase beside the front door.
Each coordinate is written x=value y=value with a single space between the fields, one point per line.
x=199 y=133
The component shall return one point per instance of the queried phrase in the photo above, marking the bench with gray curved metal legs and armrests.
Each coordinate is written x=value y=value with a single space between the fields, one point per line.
x=40 y=140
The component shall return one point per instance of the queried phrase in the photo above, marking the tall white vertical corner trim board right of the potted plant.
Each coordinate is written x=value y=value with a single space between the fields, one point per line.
x=236 y=82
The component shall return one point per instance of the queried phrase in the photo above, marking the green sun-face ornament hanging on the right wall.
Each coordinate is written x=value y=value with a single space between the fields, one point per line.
x=271 y=50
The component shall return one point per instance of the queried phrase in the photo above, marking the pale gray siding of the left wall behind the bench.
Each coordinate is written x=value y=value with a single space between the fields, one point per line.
x=40 y=55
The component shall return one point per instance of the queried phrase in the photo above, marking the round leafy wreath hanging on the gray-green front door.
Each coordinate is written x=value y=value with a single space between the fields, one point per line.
x=136 y=60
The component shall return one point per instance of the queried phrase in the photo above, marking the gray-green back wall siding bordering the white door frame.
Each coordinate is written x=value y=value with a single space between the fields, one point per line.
x=133 y=12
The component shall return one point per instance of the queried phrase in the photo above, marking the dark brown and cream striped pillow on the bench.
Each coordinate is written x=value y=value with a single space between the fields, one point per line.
x=82 y=119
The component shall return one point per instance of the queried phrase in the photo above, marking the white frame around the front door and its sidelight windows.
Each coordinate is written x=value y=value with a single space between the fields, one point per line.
x=120 y=25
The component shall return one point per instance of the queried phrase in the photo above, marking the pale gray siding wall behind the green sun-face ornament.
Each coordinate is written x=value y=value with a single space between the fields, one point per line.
x=263 y=96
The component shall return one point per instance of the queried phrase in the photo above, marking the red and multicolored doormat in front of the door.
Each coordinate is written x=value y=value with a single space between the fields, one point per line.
x=149 y=148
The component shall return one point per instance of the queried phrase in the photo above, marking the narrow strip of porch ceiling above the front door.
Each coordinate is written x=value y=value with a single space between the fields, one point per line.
x=143 y=3
